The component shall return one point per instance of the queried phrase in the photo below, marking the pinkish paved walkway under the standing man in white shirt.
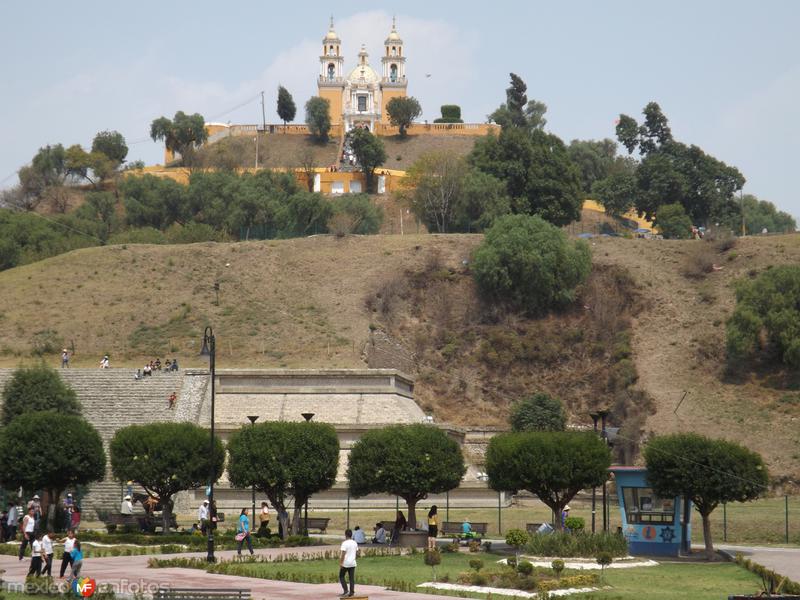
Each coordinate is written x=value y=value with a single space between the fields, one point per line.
x=130 y=574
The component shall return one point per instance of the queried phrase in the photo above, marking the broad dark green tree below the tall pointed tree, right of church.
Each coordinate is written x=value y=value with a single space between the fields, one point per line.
x=540 y=178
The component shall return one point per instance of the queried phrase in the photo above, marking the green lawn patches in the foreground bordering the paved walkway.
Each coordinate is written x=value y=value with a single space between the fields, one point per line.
x=668 y=581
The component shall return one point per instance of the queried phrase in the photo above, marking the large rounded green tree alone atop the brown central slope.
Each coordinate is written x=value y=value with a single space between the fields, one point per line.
x=529 y=264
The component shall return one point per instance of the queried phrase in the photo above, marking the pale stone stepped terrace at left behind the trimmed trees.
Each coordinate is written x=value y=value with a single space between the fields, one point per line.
x=112 y=399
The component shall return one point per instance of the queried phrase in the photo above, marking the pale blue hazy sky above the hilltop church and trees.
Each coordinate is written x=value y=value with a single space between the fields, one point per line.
x=726 y=73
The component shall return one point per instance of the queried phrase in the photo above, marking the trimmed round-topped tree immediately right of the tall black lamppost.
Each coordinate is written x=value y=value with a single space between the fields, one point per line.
x=284 y=460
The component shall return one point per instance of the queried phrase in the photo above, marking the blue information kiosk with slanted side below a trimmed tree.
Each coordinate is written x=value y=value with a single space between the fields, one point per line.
x=653 y=526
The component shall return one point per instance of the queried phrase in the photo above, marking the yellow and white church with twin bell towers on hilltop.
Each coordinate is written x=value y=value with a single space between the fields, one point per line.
x=359 y=98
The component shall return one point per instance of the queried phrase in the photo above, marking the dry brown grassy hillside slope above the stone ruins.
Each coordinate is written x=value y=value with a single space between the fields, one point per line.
x=642 y=335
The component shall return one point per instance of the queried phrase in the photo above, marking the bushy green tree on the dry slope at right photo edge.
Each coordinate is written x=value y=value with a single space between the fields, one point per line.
x=766 y=319
